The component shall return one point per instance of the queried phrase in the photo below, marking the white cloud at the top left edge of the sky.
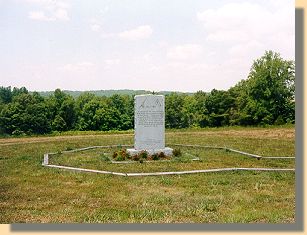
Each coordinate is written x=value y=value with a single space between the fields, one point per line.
x=49 y=10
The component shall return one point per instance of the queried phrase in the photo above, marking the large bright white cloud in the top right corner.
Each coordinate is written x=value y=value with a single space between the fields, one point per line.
x=246 y=21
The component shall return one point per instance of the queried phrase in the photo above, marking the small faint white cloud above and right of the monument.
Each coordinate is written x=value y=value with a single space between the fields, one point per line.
x=185 y=52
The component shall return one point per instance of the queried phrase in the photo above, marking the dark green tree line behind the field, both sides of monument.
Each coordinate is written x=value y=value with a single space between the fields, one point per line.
x=266 y=97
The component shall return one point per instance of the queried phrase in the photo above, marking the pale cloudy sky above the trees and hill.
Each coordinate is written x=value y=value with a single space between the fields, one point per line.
x=156 y=45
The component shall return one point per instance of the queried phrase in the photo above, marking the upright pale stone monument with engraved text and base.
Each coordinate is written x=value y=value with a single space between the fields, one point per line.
x=149 y=125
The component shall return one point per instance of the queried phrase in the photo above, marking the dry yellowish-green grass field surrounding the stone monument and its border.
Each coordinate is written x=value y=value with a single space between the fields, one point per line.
x=30 y=192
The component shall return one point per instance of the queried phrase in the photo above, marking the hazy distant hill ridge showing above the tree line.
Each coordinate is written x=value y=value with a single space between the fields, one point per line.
x=109 y=93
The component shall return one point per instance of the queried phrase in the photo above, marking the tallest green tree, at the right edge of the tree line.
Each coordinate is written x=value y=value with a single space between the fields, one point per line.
x=268 y=95
